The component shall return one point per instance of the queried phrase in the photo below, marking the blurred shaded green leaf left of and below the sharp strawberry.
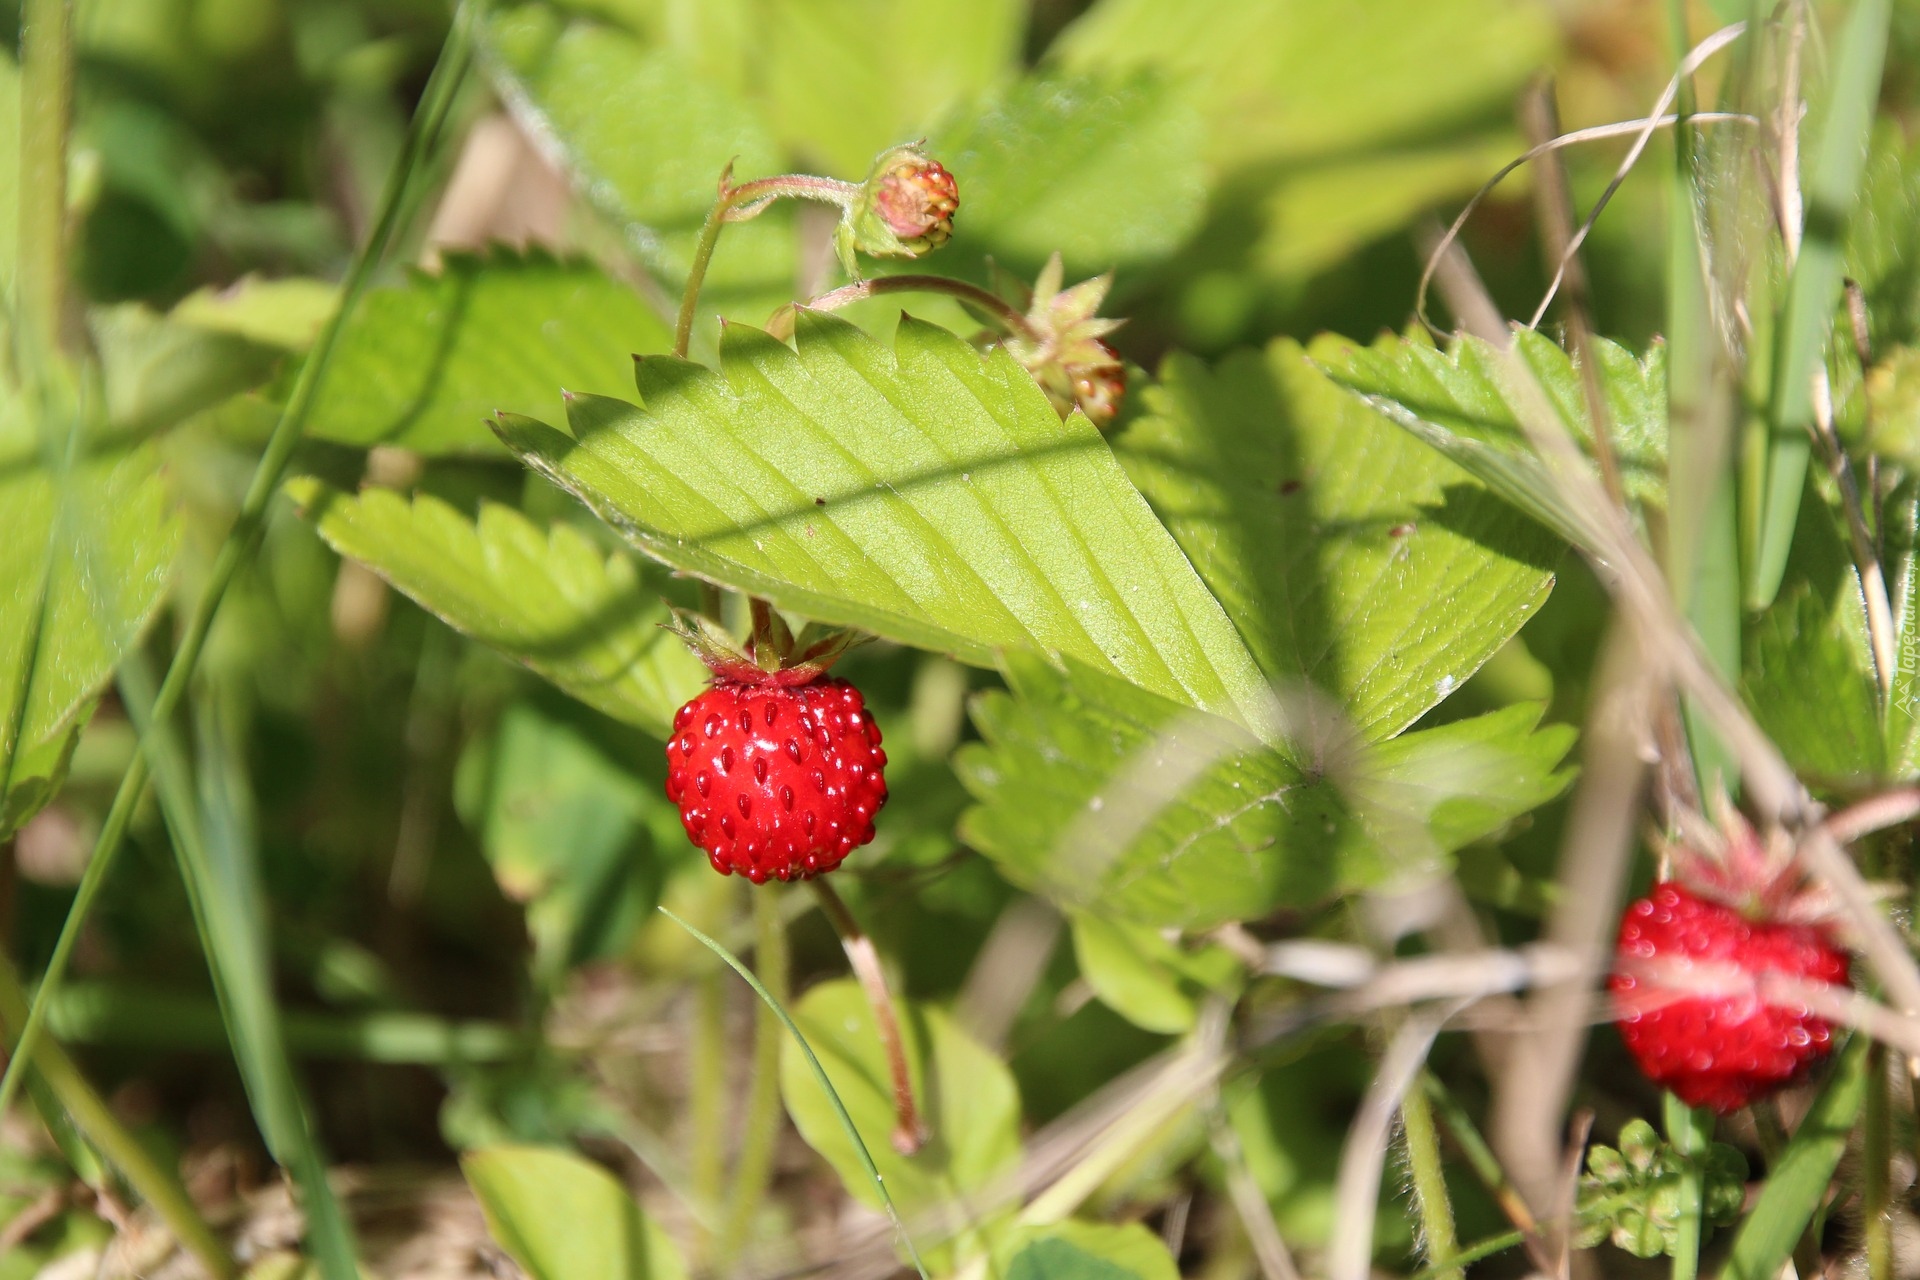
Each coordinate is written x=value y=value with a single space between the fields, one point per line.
x=565 y=830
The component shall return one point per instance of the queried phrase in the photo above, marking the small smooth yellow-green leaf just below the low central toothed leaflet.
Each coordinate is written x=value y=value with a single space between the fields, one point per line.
x=1145 y=978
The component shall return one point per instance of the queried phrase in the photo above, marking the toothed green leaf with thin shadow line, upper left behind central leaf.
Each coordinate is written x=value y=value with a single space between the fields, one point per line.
x=425 y=366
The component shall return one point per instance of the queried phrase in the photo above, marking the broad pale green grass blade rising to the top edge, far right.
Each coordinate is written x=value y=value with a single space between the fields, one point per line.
x=1813 y=287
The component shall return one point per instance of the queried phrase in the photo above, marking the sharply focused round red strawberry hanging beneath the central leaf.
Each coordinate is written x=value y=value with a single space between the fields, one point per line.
x=775 y=778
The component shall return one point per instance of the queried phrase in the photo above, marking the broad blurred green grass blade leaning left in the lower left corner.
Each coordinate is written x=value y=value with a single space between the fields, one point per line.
x=216 y=861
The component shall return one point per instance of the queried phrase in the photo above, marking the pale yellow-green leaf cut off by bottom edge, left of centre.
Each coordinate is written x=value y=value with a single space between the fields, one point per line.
x=564 y=1218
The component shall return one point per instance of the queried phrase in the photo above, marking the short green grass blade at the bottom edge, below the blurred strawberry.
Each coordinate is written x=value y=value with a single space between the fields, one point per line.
x=1796 y=1187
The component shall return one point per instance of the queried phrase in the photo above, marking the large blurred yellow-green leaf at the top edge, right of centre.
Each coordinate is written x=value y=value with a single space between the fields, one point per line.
x=1295 y=80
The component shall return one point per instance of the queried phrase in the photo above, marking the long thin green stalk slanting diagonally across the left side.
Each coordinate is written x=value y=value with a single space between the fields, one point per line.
x=247 y=529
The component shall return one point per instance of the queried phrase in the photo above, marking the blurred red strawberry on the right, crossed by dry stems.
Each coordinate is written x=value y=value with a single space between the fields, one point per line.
x=1687 y=984
